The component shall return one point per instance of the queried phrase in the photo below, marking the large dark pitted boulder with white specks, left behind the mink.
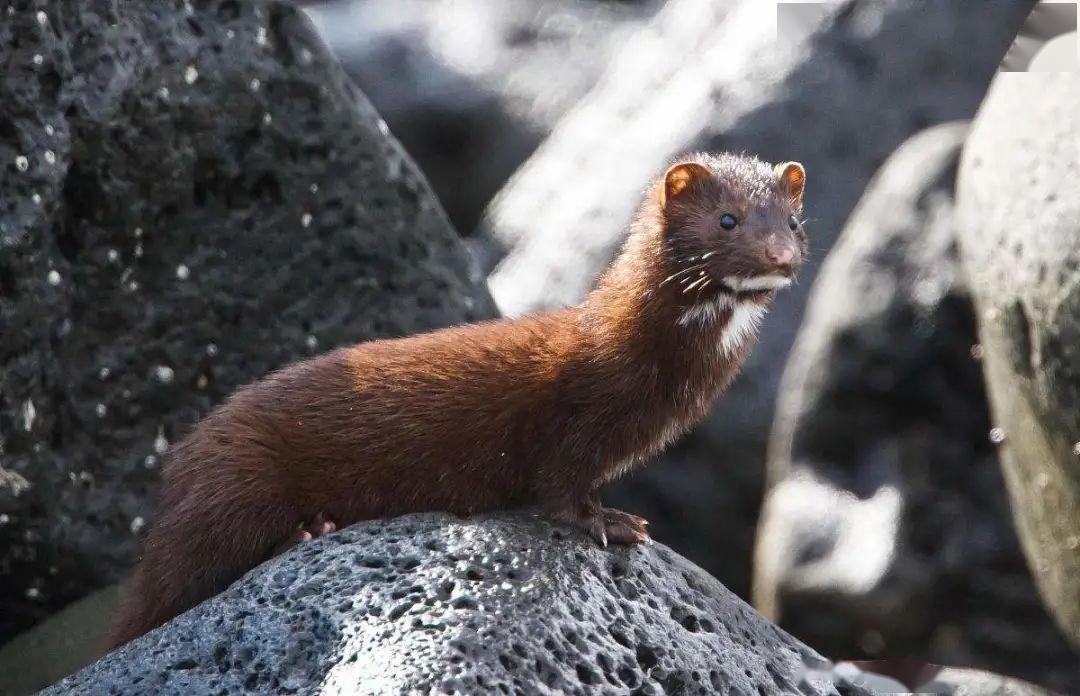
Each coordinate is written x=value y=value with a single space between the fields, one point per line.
x=190 y=199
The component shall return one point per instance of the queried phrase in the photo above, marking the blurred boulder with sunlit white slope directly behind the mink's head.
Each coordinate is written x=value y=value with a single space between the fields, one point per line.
x=712 y=76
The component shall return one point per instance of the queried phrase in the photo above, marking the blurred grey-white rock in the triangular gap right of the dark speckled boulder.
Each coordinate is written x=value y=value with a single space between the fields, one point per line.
x=472 y=88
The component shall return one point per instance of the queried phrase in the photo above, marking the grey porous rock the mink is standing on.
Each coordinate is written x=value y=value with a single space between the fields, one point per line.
x=493 y=605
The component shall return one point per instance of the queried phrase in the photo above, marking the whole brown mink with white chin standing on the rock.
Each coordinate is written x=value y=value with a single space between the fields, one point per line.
x=541 y=410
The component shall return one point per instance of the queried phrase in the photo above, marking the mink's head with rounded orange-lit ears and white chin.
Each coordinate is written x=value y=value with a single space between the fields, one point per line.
x=733 y=225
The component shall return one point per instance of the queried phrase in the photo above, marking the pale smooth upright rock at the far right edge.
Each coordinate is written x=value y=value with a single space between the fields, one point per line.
x=1020 y=232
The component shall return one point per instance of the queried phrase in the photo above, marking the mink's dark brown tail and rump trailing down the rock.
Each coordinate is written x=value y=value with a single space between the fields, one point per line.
x=207 y=537
